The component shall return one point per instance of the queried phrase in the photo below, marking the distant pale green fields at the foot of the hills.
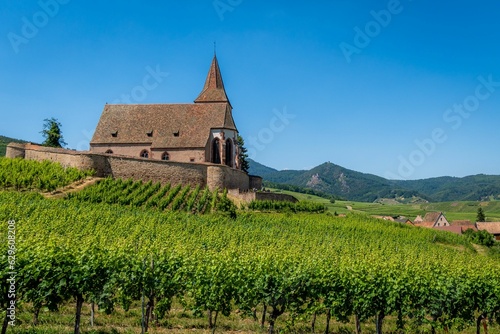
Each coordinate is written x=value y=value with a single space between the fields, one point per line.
x=453 y=210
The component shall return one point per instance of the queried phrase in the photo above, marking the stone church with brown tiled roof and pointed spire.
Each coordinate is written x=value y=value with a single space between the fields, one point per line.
x=199 y=132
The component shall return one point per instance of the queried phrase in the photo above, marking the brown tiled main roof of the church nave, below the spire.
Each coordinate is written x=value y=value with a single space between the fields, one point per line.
x=162 y=125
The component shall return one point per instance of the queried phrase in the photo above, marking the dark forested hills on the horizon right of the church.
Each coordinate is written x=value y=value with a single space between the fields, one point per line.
x=356 y=186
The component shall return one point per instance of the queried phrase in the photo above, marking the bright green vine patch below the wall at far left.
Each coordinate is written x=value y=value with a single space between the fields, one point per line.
x=22 y=174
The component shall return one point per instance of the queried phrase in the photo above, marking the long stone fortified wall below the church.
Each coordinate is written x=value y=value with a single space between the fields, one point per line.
x=203 y=174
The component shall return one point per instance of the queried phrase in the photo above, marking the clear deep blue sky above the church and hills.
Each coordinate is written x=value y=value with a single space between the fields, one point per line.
x=402 y=89
